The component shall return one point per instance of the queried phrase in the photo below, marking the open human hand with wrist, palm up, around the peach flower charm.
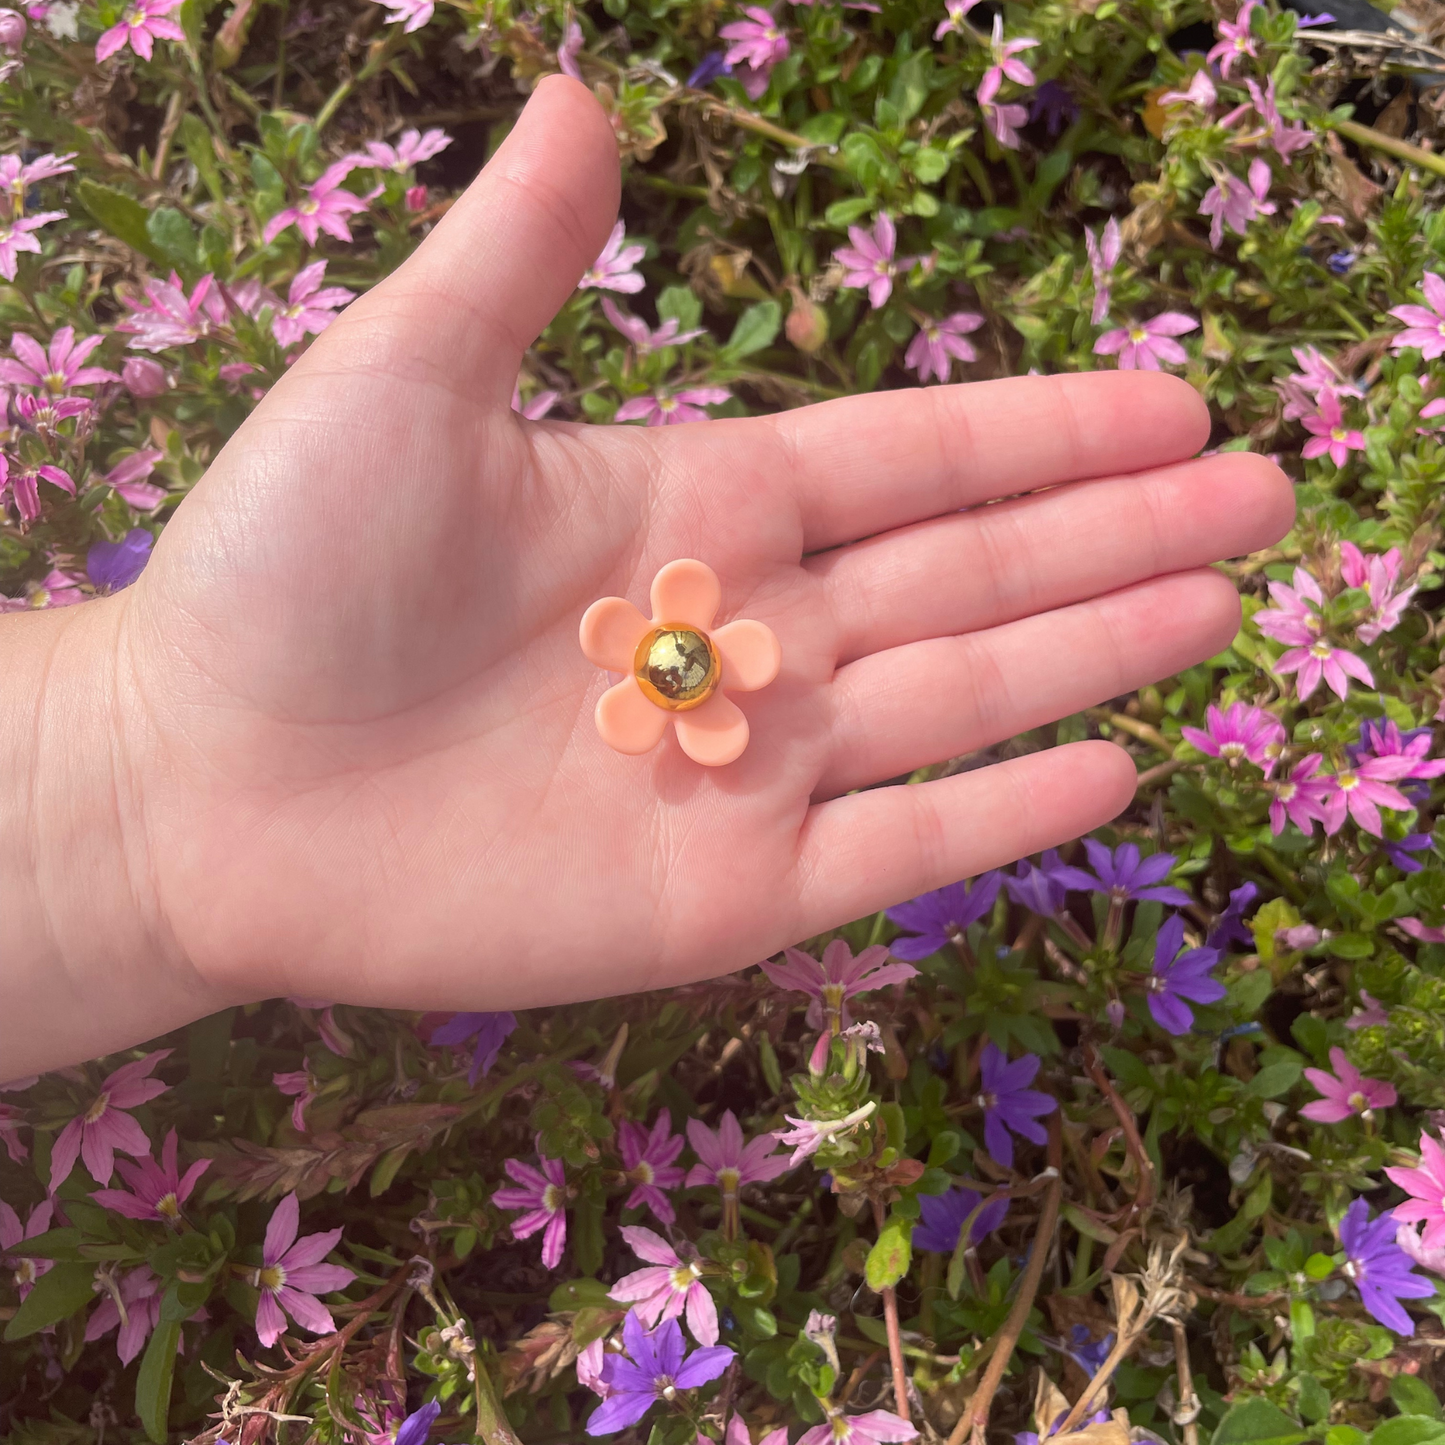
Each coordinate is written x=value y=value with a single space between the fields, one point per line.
x=342 y=732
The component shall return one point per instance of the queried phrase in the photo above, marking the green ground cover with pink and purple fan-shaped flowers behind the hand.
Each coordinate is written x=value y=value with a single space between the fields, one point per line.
x=1139 y=1141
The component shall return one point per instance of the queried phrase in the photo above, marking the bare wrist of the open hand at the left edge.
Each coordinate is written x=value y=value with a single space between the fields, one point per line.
x=87 y=965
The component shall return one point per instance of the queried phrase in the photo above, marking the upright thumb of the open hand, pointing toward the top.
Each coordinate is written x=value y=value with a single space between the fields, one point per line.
x=482 y=287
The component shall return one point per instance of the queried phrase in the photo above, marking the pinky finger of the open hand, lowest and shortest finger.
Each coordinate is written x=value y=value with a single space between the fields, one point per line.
x=882 y=847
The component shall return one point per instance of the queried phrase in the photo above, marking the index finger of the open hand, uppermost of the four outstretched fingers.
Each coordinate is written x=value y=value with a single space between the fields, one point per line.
x=868 y=465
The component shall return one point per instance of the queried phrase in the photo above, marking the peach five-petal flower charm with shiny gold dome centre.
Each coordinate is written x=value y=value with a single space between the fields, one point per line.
x=677 y=667
